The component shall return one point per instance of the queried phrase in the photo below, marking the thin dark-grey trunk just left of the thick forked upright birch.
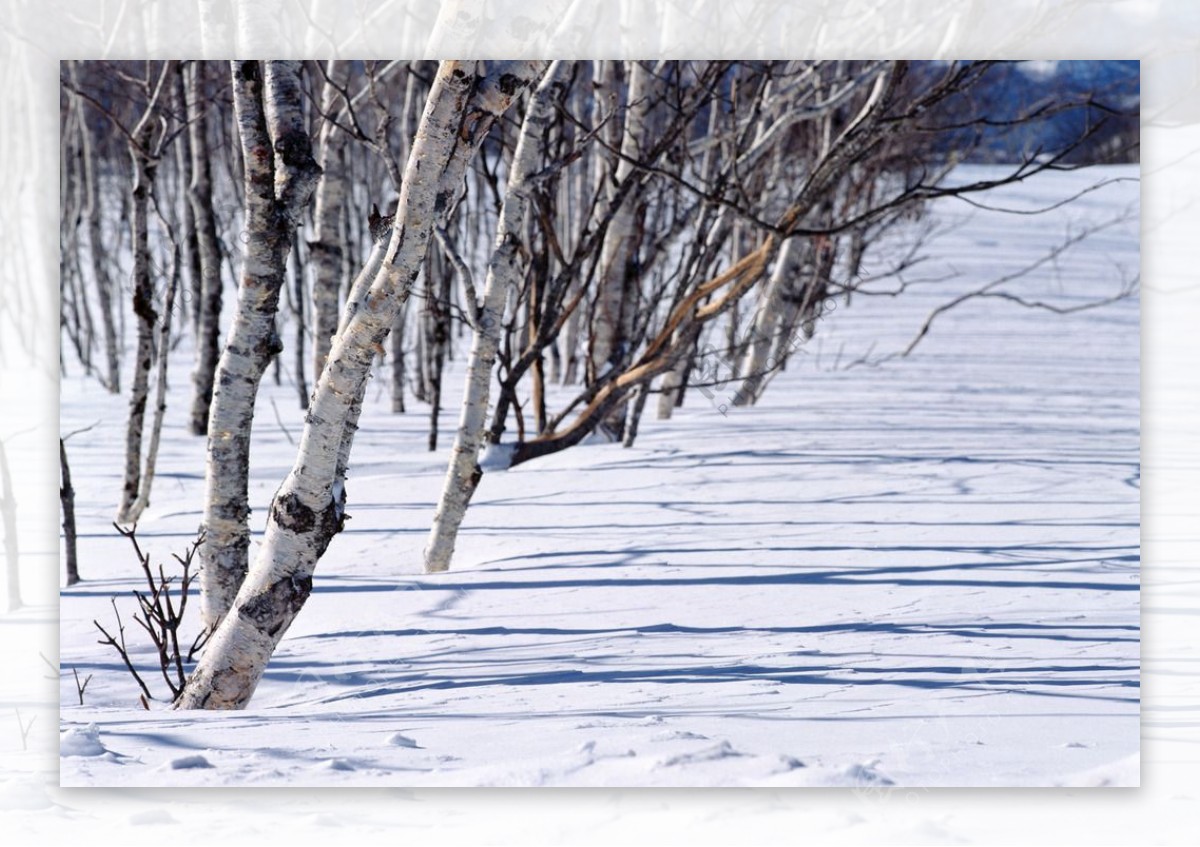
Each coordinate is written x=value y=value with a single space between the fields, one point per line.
x=208 y=304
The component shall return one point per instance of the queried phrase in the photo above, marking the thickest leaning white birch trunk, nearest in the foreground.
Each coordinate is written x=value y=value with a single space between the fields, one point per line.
x=308 y=509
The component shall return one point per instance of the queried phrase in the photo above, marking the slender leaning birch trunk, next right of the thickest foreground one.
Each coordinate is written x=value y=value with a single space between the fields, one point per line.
x=505 y=271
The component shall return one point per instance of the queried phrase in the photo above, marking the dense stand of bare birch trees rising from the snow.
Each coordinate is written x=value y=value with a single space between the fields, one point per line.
x=604 y=235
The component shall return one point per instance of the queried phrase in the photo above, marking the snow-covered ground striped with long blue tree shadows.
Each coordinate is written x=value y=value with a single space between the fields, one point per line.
x=920 y=574
